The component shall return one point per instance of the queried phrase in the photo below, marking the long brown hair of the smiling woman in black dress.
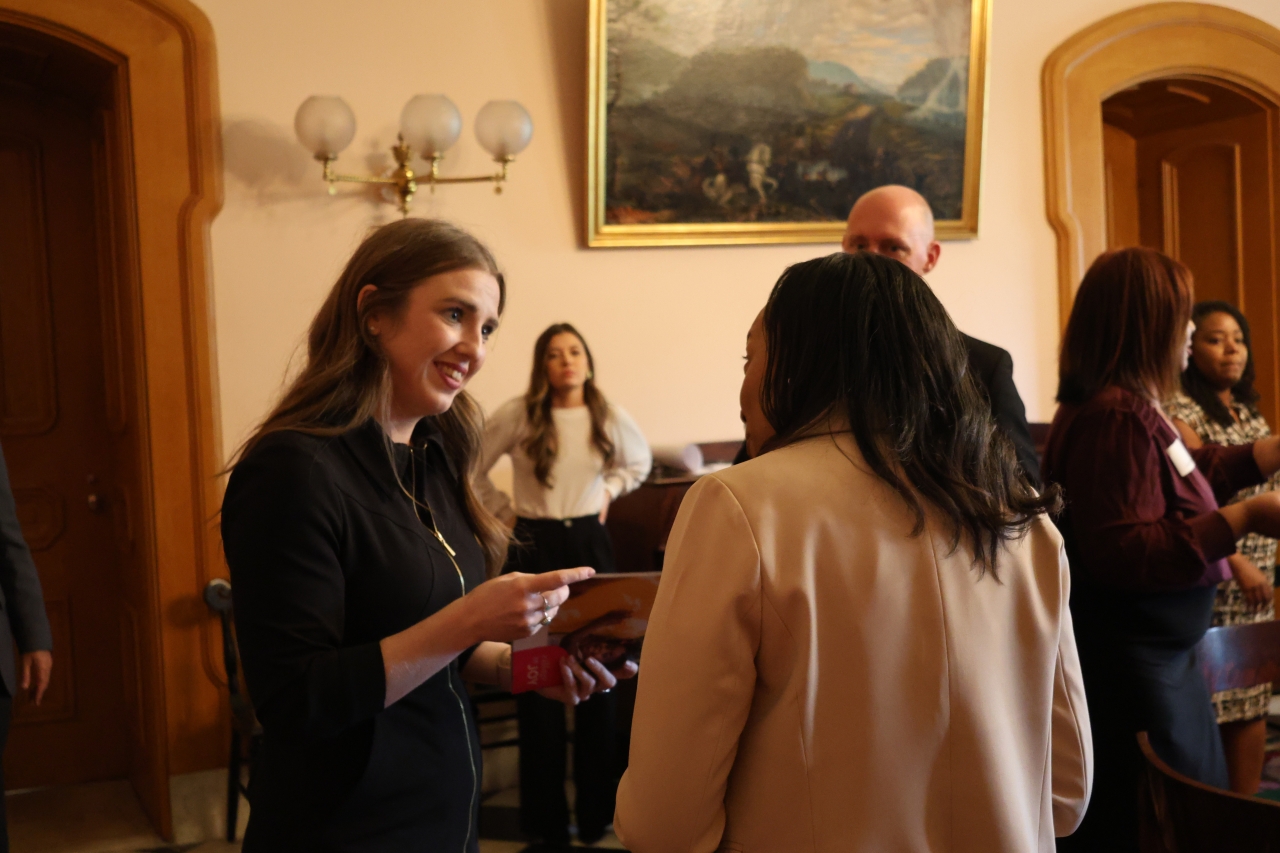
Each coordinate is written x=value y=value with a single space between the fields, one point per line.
x=346 y=380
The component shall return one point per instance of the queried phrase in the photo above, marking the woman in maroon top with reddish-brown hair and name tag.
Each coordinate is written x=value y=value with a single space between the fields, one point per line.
x=1146 y=539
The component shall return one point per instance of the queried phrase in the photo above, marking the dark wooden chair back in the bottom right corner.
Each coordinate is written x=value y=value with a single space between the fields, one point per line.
x=1180 y=815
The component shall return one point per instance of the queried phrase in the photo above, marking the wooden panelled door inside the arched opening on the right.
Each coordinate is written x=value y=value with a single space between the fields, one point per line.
x=1206 y=199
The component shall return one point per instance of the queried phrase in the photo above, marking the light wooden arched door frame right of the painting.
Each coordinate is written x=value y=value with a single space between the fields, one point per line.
x=1141 y=44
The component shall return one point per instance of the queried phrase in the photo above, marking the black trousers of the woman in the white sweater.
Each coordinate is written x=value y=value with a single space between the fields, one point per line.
x=545 y=545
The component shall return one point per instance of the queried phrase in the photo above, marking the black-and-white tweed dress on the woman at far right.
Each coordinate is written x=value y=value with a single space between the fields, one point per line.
x=1231 y=606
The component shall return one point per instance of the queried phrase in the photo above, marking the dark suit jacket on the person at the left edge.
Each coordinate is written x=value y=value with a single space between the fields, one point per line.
x=22 y=604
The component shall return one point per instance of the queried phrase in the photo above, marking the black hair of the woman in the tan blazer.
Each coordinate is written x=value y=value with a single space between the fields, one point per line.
x=863 y=339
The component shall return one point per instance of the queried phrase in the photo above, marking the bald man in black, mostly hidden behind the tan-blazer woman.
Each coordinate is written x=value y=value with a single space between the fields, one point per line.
x=897 y=222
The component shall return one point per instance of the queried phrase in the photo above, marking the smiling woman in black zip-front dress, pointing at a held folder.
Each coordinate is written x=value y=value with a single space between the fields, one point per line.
x=359 y=556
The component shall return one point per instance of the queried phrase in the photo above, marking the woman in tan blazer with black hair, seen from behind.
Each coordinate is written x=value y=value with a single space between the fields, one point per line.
x=862 y=640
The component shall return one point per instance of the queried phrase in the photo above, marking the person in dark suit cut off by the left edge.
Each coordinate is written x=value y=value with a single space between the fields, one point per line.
x=22 y=621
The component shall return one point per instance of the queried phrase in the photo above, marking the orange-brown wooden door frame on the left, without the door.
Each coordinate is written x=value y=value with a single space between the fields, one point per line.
x=168 y=168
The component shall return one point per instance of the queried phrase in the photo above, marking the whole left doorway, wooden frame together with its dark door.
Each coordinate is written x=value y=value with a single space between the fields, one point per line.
x=139 y=77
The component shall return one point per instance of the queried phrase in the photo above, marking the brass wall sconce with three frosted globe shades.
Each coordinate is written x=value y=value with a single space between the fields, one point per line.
x=429 y=127
